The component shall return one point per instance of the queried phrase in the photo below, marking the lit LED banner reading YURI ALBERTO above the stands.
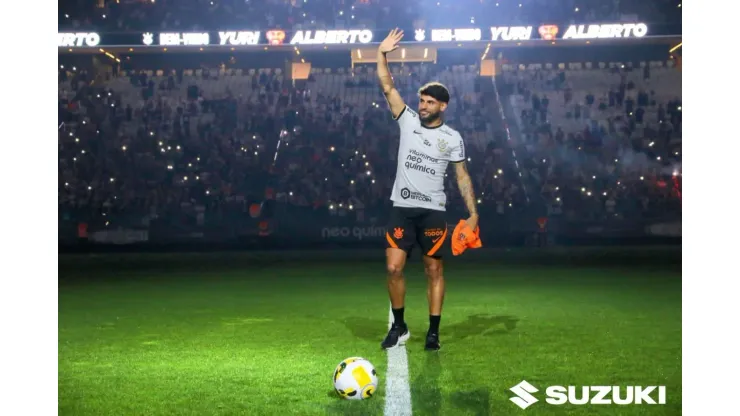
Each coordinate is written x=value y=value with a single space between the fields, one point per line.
x=246 y=38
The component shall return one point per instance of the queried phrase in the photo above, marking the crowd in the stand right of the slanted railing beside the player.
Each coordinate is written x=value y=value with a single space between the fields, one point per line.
x=606 y=152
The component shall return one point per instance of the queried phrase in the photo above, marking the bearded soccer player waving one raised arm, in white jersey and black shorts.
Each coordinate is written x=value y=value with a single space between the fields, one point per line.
x=426 y=147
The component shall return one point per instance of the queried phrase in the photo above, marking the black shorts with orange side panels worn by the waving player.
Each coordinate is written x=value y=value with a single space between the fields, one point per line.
x=409 y=226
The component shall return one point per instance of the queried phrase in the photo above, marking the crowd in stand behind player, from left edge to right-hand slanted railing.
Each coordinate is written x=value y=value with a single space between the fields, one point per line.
x=175 y=146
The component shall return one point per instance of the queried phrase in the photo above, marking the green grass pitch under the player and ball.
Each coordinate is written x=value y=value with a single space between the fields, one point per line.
x=225 y=335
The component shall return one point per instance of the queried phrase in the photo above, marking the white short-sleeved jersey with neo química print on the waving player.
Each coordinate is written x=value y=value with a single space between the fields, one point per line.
x=423 y=156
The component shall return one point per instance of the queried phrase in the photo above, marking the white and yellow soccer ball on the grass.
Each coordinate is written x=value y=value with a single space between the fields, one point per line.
x=355 y=379
